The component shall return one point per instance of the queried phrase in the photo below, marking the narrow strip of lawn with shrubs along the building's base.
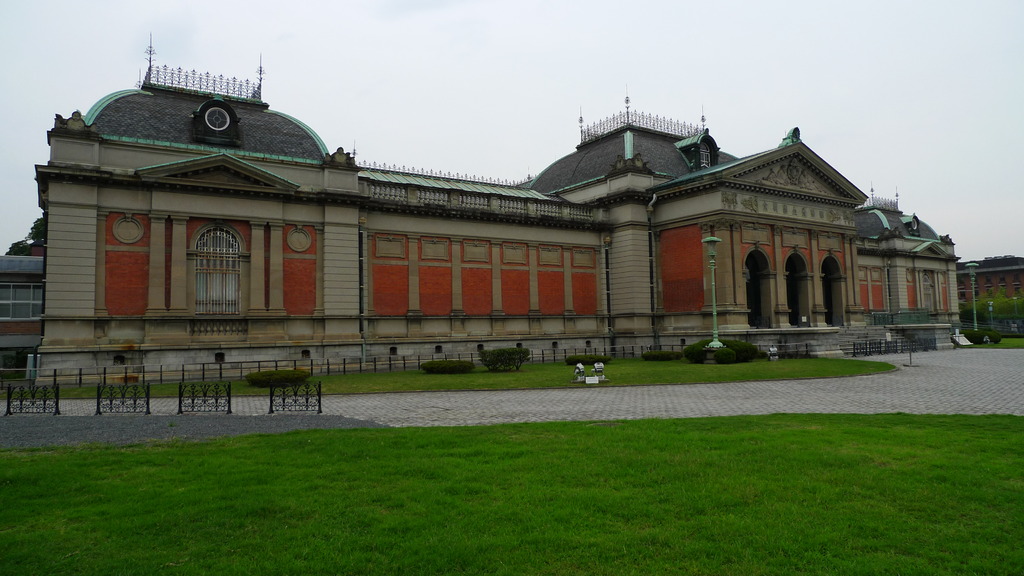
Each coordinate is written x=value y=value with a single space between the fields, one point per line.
x=621 y=373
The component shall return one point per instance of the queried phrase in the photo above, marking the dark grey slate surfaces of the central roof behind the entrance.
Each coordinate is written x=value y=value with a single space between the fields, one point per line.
x=594 y=159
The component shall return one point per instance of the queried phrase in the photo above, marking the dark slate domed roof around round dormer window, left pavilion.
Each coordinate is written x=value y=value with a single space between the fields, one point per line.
x=166 y=116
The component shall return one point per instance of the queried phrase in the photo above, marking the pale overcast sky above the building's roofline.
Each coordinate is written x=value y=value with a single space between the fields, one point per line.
x=924 y=99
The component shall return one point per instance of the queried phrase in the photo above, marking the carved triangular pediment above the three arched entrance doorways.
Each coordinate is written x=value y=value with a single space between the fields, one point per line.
x=795 y=170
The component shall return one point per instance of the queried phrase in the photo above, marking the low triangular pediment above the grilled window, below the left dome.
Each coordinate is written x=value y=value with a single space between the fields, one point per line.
x=220 y=172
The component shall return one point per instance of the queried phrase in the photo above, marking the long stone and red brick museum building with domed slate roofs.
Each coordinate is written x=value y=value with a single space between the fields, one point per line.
x=189 y=222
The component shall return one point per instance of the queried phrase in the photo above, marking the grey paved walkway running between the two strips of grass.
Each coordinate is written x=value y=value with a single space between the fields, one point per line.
x=961 y=382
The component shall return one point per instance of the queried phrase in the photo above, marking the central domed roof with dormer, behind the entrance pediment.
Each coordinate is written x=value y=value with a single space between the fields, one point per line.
x=664 y=153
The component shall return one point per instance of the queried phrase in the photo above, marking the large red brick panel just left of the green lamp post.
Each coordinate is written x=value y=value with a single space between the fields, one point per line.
x=681 y=258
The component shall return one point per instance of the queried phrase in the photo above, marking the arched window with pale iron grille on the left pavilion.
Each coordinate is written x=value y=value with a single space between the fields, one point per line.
x=218 y=273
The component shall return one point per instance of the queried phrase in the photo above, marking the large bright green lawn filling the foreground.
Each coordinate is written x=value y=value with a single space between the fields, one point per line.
x=753 y=496
